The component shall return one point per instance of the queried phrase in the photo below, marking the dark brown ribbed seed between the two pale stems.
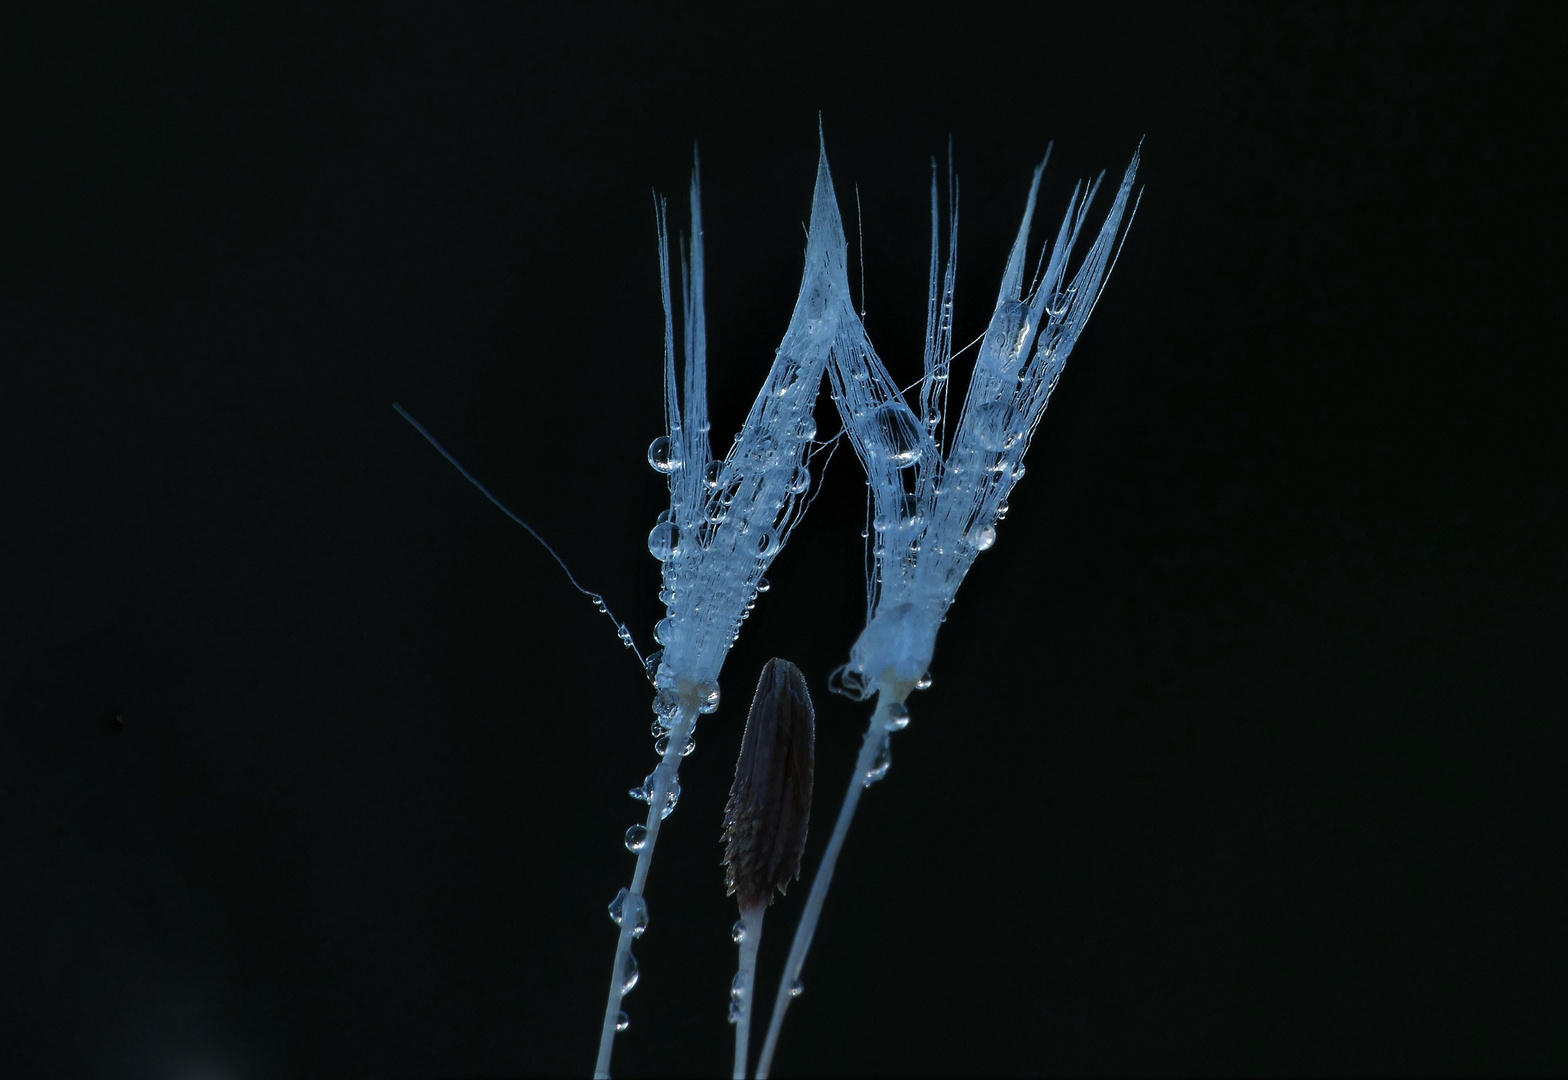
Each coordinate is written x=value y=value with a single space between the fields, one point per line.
x=771 y=800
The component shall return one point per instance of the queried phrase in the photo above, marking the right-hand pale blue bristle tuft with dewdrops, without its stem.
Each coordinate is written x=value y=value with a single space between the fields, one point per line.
x=937 y=509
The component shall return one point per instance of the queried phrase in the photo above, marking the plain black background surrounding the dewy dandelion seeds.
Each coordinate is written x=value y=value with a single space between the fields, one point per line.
x=1243 y=753
